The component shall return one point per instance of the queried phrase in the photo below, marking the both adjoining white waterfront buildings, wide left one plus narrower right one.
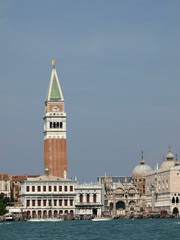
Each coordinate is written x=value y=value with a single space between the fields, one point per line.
x=50 y=196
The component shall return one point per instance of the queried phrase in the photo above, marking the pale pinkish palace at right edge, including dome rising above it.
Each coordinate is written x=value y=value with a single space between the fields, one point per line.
x=163 y=187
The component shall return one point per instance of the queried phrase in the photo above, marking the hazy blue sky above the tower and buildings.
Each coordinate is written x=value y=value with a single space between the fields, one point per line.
x=118 y=66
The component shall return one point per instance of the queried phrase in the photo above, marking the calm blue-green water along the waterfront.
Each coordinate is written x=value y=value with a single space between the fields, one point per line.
x=83 y=230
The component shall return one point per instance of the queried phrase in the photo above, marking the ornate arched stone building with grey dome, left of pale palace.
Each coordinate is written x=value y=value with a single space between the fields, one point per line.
x=125 y=195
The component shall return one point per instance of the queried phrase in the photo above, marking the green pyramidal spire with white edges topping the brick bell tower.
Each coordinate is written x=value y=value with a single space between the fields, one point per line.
x=54 y=91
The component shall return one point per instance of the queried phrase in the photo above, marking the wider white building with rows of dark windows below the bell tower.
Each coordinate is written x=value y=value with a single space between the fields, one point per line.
x=47 y=196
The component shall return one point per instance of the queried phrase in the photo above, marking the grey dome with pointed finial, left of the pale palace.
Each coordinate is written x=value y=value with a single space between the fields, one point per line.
x=141 y=169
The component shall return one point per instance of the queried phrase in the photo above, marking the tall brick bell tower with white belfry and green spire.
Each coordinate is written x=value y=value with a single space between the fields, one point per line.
x=55 y=157
